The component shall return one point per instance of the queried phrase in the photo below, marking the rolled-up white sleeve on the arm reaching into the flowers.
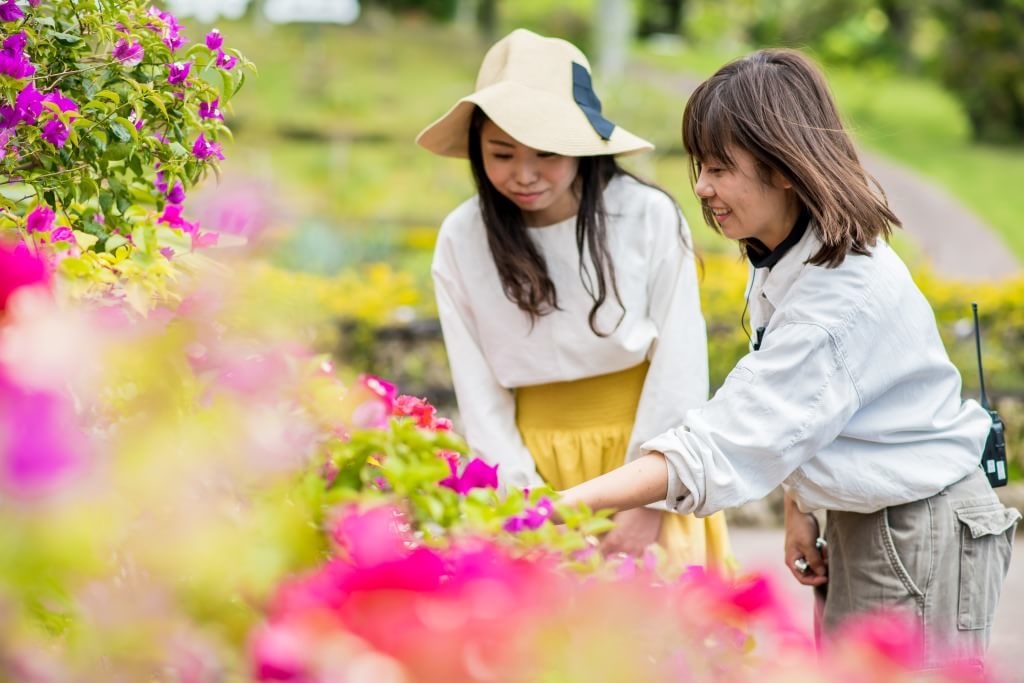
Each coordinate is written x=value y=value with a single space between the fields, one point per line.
x=778 y=408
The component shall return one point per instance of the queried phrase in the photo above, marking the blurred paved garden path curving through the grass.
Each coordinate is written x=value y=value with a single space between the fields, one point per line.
x=955 y=242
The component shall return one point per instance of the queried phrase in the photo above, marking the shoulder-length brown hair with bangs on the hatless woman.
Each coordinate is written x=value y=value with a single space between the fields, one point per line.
x=776 y=104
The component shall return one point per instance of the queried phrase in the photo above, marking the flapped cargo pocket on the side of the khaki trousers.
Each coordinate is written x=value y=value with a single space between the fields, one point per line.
x=987 y=540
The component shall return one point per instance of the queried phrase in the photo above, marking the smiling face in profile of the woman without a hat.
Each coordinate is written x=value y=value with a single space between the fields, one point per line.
x=745 y=205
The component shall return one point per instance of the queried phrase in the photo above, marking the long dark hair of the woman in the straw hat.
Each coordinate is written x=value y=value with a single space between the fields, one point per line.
x=521 y=266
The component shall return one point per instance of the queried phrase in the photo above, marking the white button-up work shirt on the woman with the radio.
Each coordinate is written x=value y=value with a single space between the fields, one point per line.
x=851 y=403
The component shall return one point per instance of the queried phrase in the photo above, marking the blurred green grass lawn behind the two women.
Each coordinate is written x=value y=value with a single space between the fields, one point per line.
x=333 y=113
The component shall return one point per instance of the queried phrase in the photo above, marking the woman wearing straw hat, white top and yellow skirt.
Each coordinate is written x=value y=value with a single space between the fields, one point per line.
x=567 y=290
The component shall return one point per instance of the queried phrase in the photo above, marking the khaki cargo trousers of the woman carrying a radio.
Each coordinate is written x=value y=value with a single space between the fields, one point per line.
x=943 y=560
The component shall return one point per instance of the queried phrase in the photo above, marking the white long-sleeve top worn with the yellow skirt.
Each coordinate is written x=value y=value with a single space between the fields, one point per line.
x=493 y=347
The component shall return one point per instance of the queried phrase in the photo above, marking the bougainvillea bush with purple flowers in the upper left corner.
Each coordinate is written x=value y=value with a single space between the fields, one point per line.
x=109 y=115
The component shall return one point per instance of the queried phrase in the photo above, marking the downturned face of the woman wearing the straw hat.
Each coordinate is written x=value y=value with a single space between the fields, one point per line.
x=539 y=183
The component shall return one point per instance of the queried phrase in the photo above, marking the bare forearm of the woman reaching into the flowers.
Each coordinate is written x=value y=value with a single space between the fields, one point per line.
x=643 y=482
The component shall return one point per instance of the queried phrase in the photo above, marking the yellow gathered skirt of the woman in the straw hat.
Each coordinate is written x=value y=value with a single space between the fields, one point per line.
x=579 y=431
